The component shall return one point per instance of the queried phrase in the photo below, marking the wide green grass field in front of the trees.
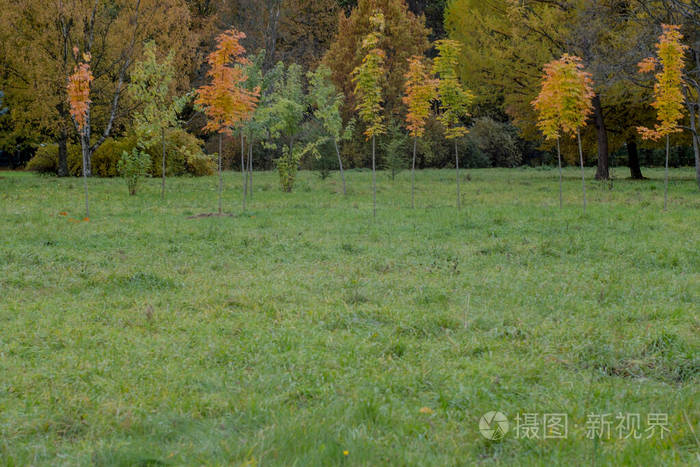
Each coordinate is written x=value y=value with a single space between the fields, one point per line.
x=303 y=332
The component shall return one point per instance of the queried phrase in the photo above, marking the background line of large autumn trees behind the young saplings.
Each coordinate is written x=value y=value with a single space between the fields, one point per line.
x=503 y=47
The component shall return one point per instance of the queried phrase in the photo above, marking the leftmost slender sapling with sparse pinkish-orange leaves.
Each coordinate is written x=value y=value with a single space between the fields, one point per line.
x=78 y=89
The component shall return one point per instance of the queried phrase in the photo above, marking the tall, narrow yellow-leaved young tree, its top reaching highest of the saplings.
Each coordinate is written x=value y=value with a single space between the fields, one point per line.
x=368 y=89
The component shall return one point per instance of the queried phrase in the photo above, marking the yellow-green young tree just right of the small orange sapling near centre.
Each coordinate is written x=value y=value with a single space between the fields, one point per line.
x=454 y=99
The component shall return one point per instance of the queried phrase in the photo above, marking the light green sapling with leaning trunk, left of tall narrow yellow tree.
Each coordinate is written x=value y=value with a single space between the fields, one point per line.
x=327 y=103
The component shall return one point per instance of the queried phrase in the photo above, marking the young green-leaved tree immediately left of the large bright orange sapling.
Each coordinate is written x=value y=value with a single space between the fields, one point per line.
x=152 y=87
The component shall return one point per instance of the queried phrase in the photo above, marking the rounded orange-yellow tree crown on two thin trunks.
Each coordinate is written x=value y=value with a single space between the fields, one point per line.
x=565 y=103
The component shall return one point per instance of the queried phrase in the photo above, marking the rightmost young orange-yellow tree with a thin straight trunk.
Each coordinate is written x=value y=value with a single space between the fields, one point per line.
x=668 y=90
